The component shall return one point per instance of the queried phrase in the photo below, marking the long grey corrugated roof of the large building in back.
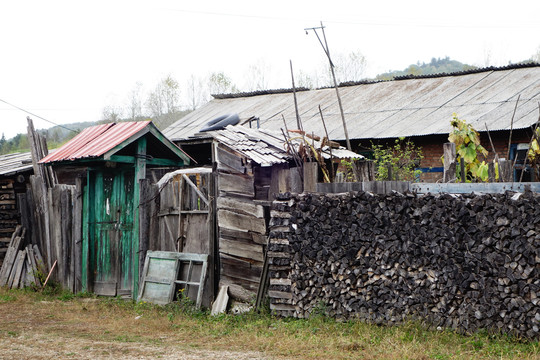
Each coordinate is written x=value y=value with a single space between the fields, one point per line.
x=408 y=107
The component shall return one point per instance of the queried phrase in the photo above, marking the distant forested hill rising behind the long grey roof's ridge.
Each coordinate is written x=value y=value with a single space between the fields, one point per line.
x=435 y=66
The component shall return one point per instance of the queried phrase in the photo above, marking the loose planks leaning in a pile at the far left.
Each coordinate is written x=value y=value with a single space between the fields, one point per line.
x=22 y=264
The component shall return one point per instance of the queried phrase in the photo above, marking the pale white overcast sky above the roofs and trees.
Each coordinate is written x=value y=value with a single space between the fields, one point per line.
x=65 y=61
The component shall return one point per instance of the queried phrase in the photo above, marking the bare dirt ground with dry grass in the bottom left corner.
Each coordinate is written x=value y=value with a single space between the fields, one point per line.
x=79 y=330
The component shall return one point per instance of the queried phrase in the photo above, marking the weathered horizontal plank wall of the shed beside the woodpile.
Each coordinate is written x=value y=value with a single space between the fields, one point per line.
x=242 y=224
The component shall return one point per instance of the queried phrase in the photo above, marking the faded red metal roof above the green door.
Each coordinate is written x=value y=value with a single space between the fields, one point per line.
x=95 y=141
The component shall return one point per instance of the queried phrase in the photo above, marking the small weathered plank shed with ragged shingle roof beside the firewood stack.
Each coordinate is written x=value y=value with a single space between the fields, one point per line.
x=250 y=166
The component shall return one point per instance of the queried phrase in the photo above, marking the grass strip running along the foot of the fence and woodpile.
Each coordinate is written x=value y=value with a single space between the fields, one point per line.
x=118 y=321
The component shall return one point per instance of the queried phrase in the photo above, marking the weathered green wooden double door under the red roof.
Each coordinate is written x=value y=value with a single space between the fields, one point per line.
x=111 y=231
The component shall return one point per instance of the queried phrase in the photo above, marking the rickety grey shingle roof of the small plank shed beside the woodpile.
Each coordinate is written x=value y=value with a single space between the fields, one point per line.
x=268 y=147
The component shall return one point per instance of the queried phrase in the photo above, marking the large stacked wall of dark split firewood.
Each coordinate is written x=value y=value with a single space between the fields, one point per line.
x=465 y=262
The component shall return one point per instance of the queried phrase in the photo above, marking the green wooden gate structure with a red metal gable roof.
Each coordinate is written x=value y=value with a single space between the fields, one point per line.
x=115 y=158
